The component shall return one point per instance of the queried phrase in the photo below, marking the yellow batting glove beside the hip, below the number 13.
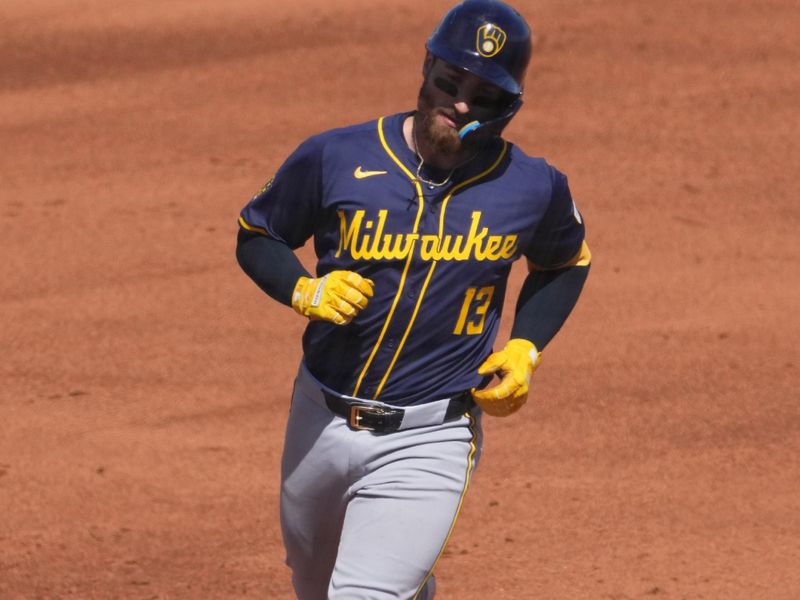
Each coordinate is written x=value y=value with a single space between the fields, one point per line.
x=515 y=364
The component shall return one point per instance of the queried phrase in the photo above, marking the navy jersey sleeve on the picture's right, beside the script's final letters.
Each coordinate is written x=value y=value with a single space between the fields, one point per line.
x=559 y=237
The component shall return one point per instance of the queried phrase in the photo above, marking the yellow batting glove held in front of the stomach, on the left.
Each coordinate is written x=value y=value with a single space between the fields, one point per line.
x=337 y=297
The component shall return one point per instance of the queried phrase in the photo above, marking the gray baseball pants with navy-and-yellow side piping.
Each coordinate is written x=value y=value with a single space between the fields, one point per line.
x=365 y=516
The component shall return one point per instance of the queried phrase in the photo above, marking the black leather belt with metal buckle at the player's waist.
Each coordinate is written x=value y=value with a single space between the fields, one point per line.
x=385 y=420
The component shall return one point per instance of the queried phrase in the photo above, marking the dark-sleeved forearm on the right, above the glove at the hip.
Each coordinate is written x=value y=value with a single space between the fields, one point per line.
x=545 y=301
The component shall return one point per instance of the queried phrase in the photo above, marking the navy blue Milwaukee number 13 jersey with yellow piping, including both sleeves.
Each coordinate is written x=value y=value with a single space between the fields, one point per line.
x=439 y=256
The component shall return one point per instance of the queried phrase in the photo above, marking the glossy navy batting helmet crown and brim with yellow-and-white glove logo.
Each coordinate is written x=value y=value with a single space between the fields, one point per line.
x=487 y=38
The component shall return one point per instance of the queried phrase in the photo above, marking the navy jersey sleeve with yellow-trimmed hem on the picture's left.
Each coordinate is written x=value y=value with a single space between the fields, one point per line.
x=284 y=209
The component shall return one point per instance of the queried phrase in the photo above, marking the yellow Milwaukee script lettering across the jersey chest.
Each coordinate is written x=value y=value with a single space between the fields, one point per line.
x=365 y=240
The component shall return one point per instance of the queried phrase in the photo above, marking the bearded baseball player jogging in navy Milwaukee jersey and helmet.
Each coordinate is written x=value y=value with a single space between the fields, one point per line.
x=416 y=220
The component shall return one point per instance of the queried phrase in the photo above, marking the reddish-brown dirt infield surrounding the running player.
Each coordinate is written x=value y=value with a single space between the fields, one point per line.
x=145 y=381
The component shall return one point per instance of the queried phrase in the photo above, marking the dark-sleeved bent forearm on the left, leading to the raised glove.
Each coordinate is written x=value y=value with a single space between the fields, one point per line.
x=270 y=263
